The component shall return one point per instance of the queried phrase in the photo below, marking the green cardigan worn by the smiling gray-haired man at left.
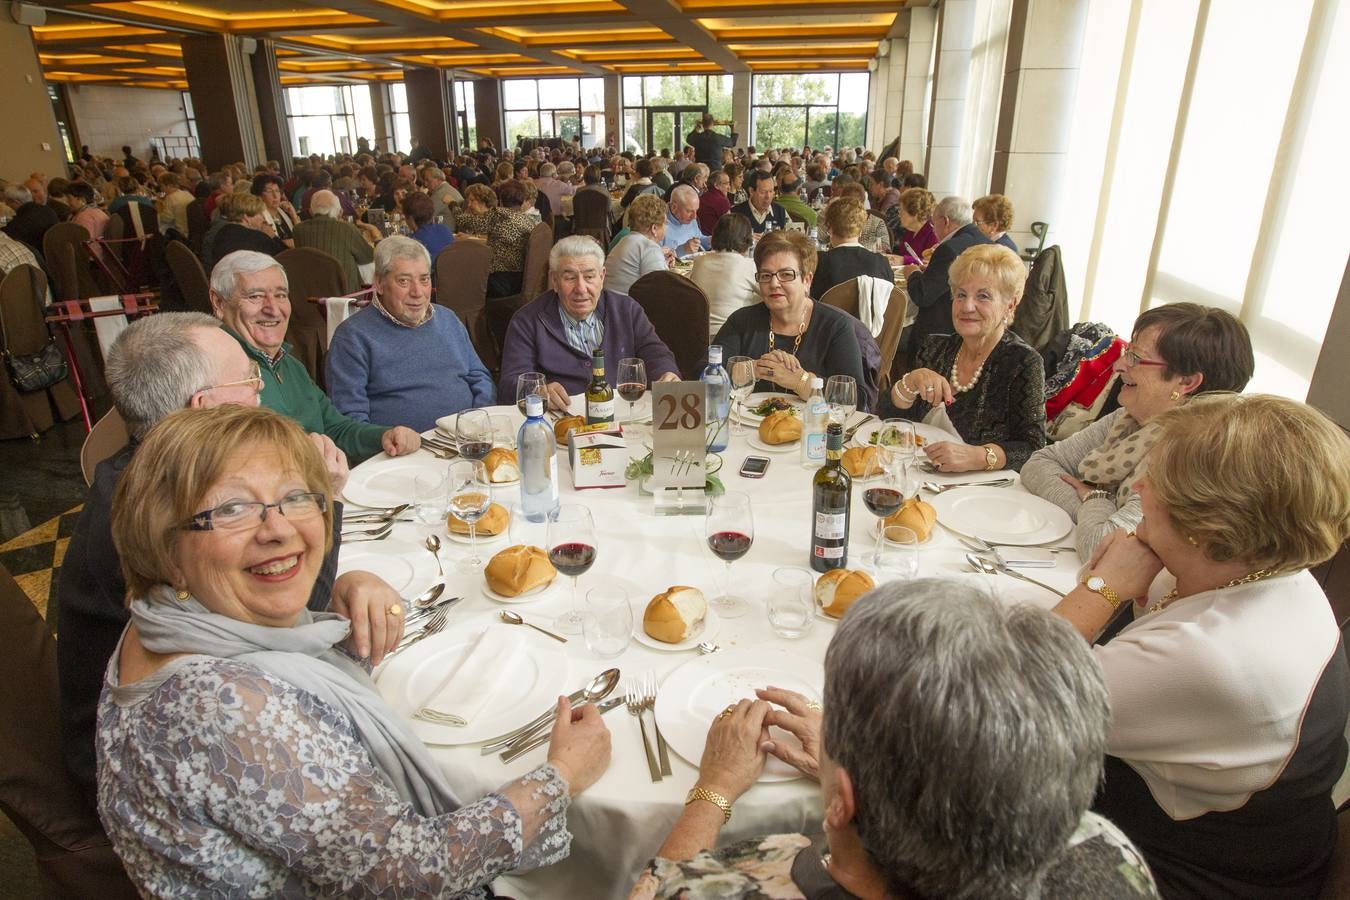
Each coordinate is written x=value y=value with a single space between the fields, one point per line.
x=288 y=389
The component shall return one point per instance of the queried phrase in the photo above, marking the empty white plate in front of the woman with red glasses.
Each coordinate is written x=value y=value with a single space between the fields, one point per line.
x=1001 y=516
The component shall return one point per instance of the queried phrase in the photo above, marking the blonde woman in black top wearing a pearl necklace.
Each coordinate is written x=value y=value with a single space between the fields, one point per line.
x=990 y=381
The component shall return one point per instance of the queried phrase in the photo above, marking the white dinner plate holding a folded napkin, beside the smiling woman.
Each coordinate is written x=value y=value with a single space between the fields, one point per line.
x=530 y=689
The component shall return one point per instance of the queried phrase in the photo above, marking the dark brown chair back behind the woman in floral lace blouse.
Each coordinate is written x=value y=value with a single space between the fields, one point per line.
x=74 y=855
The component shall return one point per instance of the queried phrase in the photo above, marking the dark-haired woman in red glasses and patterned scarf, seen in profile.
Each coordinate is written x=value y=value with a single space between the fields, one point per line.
x=1178 y=351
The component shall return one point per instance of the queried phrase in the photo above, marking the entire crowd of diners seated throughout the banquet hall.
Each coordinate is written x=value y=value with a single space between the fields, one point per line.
x=1172 y=728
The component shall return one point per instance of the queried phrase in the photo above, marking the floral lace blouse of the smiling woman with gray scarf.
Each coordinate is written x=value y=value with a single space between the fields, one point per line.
x=217 y=779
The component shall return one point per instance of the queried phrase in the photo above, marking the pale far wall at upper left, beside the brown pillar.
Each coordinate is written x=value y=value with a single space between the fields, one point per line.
x=109 y=118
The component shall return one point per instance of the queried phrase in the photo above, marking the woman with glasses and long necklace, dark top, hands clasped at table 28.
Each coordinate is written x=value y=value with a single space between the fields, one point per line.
x=790 y=337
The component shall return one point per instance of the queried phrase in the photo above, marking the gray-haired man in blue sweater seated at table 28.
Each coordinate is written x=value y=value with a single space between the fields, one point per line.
x=403 y=360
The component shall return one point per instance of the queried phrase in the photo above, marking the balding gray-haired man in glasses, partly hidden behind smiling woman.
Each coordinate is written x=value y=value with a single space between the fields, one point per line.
x=157 y=366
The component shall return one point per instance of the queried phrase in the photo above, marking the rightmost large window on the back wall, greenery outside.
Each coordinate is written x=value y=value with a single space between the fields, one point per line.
x=817 y=110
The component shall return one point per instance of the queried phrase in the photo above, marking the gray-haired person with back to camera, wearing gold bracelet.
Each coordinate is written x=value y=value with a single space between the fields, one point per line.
x=958 y=747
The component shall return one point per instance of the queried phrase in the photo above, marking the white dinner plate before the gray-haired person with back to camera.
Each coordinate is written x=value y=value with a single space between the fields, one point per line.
x=692 y=697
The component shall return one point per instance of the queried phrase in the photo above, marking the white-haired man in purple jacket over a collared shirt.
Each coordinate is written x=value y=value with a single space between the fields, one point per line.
x=557 y=333
